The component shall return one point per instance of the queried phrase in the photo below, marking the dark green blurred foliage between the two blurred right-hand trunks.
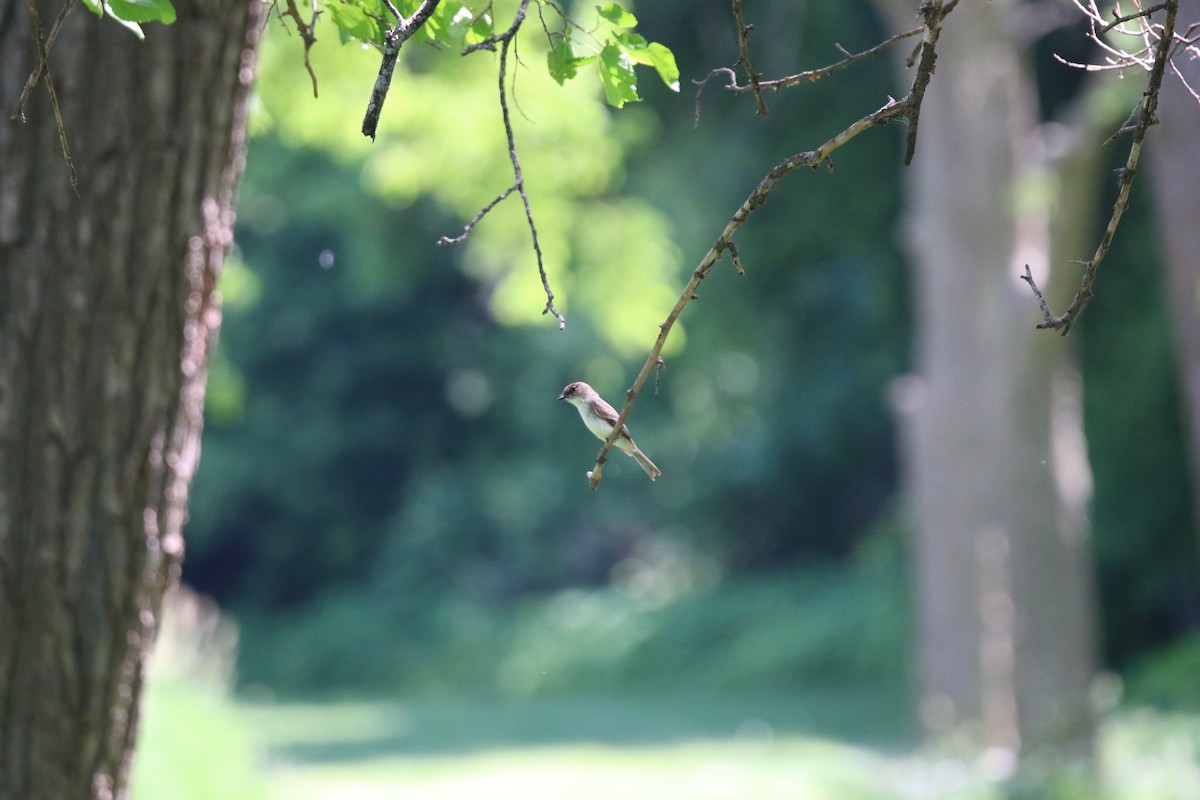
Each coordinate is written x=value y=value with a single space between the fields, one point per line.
x=1147 y=544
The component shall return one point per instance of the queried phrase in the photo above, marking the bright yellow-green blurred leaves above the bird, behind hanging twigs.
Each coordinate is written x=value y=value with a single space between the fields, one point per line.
x=572 y=159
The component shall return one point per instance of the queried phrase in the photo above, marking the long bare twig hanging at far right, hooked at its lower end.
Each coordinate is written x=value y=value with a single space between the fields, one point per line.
x=1149 y=105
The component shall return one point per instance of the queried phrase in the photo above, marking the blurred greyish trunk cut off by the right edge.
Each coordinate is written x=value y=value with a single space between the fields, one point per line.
x=1174 y=152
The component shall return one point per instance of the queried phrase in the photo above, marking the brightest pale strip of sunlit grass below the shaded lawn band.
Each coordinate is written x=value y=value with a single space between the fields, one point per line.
x=703 y=771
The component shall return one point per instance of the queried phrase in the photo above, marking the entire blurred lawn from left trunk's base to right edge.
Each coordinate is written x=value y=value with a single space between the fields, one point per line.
x=671 y=747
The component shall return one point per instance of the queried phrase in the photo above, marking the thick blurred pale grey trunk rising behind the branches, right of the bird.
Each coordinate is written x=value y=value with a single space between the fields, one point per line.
x=992 y=424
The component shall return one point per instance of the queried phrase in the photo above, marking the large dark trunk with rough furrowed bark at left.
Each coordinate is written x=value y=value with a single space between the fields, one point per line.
x=107 y=316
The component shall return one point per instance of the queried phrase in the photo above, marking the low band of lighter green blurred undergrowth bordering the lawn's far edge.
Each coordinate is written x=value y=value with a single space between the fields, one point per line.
x=662 y=625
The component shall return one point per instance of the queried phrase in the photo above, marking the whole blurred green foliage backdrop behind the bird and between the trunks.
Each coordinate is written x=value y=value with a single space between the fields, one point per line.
x=392 y=501
